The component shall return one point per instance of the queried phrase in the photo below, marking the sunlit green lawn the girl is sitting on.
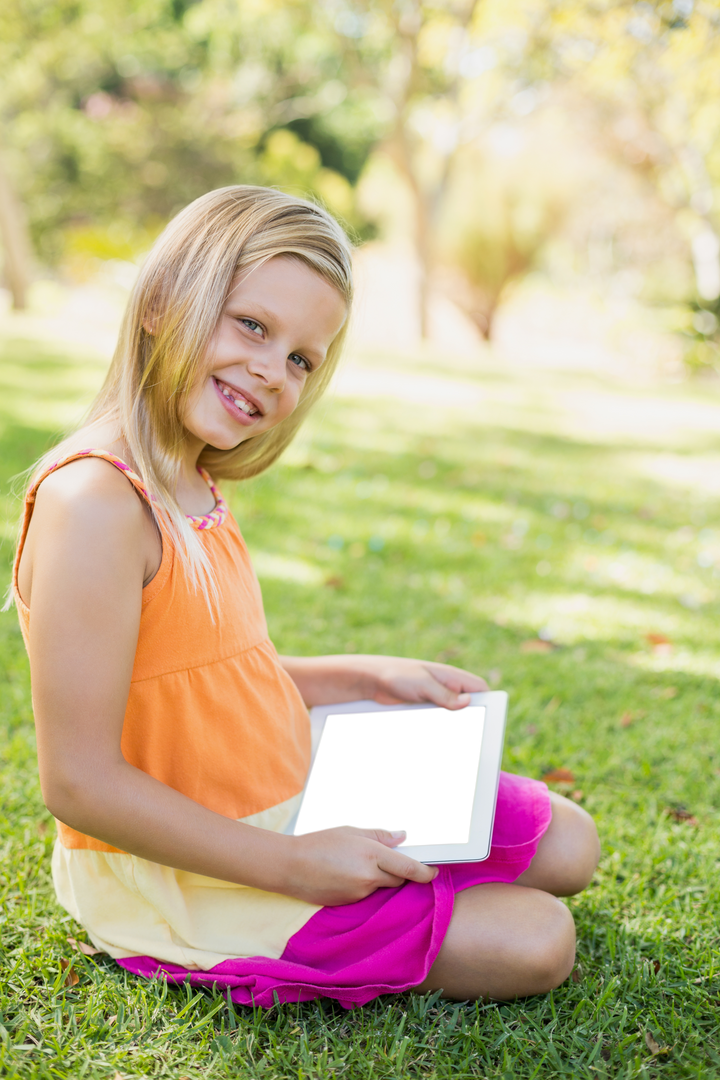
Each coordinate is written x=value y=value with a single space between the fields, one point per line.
x=460 y=535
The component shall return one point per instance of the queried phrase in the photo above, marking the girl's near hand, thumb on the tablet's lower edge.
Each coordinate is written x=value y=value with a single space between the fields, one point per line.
x=342 y=866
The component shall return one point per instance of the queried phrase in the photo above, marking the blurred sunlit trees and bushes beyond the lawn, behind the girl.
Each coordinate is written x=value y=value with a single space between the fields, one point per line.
x=537 y=174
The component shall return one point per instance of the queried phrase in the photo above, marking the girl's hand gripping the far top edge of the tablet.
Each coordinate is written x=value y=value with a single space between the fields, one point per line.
x=399 y=680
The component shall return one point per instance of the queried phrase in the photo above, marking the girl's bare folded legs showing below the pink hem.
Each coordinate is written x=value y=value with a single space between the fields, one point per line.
x=511 y=941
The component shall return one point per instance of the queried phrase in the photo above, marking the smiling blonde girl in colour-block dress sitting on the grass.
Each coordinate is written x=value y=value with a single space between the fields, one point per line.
x=173 y=741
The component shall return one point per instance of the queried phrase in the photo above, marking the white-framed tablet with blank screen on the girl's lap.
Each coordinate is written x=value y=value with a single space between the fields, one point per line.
x=416 y=767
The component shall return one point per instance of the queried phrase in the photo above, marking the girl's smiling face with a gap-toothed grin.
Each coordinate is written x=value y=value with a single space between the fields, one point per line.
x=276 y=329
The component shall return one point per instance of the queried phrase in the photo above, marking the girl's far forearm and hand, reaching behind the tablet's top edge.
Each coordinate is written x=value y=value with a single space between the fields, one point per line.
x=328 y=681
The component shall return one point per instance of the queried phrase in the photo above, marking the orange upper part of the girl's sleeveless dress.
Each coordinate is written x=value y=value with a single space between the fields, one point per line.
x=211 y=711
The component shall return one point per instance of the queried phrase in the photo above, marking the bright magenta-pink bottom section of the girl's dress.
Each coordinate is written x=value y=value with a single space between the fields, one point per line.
x=386 y=943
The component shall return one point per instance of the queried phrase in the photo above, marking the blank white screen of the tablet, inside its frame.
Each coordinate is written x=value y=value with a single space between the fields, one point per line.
x=399 y=771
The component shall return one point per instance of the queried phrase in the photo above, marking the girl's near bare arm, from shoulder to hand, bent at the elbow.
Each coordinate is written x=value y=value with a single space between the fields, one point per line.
x=88 y=552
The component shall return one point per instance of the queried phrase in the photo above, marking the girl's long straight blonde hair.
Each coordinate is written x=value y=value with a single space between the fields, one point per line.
x=180 y=294
